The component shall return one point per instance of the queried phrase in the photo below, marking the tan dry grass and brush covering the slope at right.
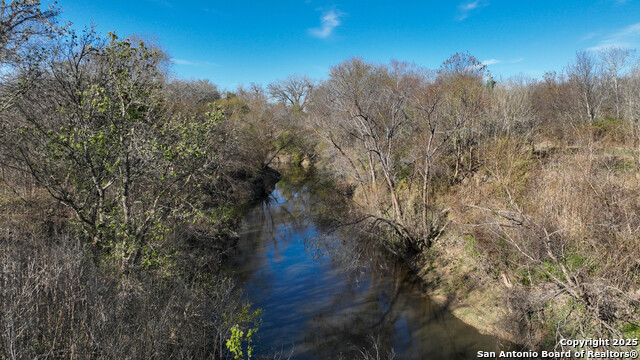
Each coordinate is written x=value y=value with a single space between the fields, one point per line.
x=560 y=233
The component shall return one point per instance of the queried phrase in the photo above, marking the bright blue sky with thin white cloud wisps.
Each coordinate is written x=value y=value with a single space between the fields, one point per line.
x=239 y=42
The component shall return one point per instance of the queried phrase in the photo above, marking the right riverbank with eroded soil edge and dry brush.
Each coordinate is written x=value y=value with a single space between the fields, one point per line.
x=531 y=241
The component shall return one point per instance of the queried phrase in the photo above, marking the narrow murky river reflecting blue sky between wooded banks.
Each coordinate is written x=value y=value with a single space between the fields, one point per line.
x=327 y=295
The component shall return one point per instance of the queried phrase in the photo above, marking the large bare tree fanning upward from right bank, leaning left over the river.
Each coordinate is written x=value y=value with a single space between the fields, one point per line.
x=362 y=110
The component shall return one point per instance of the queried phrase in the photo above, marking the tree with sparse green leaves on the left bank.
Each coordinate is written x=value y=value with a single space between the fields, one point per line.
x=95 y=137
